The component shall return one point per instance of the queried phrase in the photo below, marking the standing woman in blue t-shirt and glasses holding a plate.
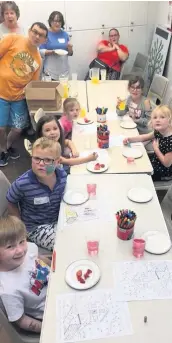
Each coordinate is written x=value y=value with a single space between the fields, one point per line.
x=55 y=64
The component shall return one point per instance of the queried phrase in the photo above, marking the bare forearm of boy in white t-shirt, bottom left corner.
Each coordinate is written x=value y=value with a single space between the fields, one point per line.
x=29 y=324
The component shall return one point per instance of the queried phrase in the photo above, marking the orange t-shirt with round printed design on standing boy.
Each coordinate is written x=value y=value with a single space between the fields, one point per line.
x=19 y=64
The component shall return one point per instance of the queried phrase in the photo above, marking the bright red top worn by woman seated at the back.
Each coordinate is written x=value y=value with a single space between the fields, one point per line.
x=111 y=58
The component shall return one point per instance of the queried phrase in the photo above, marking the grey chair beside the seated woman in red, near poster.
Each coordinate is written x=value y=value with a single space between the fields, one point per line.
x=138 y=68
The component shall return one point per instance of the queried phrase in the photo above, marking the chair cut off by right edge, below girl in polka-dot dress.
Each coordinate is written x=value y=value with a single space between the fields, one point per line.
x=166 y=206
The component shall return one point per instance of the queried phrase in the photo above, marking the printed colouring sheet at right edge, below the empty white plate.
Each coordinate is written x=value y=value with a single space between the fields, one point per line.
x=143 y=280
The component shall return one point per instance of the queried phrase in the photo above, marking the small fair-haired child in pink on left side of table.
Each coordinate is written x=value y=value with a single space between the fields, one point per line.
x=71 y=109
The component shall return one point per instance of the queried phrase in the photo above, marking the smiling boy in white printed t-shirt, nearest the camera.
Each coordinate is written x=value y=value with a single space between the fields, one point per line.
x=23 y=276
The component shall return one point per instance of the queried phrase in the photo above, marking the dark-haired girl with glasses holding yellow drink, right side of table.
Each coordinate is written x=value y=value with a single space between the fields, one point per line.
x=137 y=105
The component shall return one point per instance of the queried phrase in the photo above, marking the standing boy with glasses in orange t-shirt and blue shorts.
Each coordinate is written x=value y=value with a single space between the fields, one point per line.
x=20 y=63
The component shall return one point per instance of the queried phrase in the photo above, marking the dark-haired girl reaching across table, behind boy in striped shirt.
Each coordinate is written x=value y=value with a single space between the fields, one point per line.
x=48 y=126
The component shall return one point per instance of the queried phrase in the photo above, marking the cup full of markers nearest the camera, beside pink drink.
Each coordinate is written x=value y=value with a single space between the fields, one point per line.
x=125 y=224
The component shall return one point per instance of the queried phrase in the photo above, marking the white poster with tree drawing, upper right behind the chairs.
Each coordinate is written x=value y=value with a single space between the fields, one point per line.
x=158 y=53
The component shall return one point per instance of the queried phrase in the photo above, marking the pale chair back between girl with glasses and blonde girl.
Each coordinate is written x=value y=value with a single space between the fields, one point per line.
x=158 y=89
